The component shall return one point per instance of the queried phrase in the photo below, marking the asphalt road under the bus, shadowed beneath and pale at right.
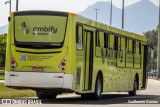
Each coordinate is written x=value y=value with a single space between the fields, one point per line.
x=145 y=97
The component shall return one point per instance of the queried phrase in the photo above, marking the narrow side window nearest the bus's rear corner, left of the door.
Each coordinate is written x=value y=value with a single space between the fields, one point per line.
x=79 y=37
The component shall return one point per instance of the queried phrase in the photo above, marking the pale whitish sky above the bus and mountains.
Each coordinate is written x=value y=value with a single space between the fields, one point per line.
x=56 y=5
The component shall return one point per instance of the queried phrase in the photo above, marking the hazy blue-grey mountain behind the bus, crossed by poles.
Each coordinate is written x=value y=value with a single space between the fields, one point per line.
x=139 y=17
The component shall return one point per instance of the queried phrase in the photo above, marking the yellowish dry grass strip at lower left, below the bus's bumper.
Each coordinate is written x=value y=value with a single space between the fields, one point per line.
x=14 y=93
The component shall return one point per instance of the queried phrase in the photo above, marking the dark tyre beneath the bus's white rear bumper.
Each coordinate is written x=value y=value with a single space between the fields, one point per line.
x=45 y=95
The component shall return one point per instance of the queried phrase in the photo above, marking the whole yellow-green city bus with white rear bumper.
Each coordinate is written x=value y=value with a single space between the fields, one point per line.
x=57 y=52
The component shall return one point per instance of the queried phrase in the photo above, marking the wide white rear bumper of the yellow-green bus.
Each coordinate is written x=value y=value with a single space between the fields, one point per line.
x=38 y=80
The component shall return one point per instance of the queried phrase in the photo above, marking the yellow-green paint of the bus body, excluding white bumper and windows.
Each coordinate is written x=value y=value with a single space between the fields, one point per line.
x=117 y=76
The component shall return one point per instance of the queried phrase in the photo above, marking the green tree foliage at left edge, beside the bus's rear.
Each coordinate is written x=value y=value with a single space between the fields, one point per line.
x=3 y=40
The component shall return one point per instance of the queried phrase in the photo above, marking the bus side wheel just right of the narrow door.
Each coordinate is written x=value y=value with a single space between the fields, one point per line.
x=98 y=88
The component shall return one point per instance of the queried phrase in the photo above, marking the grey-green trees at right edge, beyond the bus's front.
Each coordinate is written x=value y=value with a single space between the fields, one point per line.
x=152 y=40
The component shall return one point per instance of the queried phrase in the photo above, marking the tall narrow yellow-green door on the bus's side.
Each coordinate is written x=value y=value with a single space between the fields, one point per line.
x=88 y=62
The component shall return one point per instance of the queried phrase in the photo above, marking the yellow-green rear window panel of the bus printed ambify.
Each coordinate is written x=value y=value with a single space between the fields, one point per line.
x=40 y=30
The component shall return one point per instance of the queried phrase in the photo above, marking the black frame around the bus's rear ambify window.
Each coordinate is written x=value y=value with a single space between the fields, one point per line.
x=40 y=45
